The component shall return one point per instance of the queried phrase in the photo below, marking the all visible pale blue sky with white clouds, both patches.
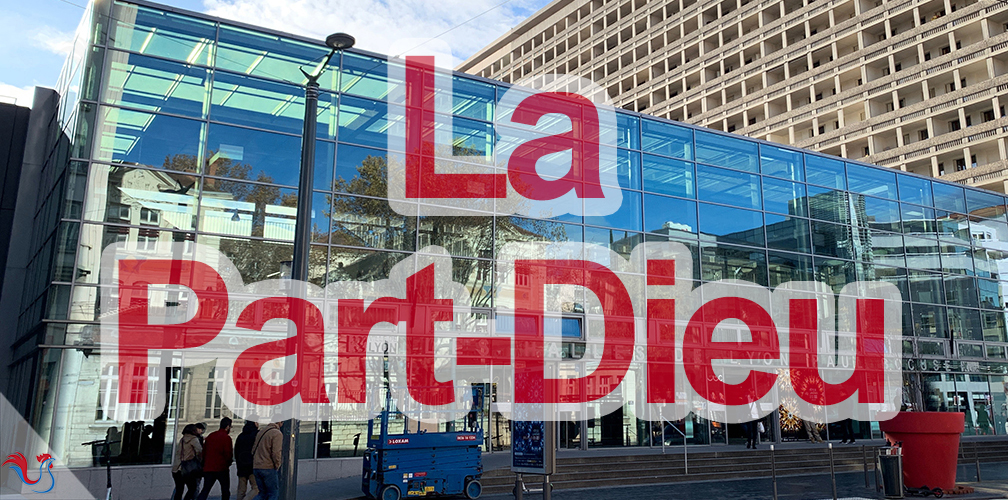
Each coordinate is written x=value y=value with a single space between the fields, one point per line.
x=36 y=36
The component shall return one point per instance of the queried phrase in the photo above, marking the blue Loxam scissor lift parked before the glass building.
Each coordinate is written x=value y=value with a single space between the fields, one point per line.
x=423 y=463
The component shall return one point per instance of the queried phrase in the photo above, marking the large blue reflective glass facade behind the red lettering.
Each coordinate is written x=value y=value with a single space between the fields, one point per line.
x=187 y=130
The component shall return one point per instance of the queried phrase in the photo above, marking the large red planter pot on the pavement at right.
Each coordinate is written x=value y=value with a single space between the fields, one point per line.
x=931 y=446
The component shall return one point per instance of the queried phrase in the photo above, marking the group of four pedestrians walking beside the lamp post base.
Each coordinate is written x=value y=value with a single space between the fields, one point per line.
x=257 y=454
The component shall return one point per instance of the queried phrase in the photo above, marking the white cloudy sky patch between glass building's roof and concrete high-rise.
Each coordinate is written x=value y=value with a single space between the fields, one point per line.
x=379 y=24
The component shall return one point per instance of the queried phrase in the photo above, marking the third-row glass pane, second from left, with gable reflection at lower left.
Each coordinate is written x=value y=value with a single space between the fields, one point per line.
x=251 y=155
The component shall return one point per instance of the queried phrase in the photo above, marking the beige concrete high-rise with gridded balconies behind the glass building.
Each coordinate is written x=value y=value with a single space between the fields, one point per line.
x=915 y=85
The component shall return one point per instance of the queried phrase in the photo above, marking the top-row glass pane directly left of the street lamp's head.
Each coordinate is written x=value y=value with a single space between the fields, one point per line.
x=276 y=58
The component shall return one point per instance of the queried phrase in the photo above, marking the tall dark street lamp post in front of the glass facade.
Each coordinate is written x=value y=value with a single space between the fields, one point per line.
x=303 y=237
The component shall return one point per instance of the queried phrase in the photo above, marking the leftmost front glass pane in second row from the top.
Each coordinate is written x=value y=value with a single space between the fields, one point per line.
x=156 y=85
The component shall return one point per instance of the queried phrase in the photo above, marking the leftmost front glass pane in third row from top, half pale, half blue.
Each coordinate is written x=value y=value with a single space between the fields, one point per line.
x=135 y=138
